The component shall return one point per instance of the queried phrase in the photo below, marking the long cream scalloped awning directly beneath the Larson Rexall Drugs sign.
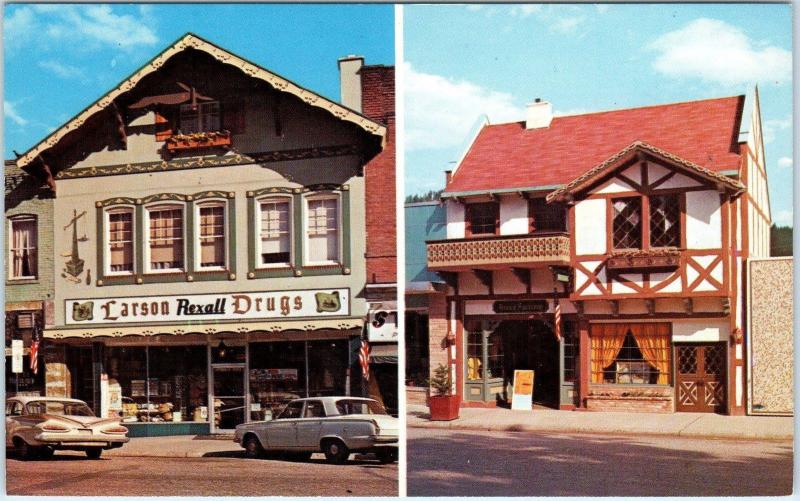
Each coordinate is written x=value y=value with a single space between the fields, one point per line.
x=205 y=328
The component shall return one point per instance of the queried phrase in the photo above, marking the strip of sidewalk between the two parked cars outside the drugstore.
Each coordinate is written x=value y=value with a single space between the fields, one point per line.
x=182 y=446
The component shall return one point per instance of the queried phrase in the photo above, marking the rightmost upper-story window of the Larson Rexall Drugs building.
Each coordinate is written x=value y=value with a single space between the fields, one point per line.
x=322 y=229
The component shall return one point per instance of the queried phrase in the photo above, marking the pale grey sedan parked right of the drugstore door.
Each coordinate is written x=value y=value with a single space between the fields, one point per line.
x=336 y=426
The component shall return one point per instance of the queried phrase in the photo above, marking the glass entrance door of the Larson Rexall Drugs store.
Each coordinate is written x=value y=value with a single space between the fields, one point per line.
x=227 y=397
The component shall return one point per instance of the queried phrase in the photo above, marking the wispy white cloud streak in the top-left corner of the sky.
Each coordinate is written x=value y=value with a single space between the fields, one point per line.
x=81 y=25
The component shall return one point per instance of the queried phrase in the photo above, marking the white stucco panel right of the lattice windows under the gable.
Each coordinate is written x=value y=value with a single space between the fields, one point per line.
x=703 y=220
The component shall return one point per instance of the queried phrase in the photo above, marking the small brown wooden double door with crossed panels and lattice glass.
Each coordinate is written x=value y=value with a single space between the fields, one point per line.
x=700 y=384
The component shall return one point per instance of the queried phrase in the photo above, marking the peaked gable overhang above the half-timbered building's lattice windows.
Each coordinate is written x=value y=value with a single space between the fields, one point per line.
x=643 y=150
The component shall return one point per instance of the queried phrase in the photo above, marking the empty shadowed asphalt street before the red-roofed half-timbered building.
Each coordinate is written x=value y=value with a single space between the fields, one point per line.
x=467 y=463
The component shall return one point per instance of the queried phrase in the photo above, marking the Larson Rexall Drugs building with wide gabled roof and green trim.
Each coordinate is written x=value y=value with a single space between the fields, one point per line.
x=209 y=222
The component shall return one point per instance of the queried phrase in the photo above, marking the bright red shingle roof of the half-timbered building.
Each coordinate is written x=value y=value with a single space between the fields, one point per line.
x=507 y=156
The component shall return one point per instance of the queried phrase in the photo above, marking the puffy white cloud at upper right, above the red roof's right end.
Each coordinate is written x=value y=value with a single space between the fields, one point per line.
x=718 y=52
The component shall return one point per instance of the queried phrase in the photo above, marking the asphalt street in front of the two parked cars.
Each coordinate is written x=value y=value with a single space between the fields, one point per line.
x=230 y=475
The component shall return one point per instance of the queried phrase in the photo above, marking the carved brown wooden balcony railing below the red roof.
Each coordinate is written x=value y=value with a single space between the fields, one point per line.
x=518 y=251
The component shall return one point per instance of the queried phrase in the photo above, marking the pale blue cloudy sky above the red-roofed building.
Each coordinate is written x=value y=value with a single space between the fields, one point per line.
x=464 y=61
